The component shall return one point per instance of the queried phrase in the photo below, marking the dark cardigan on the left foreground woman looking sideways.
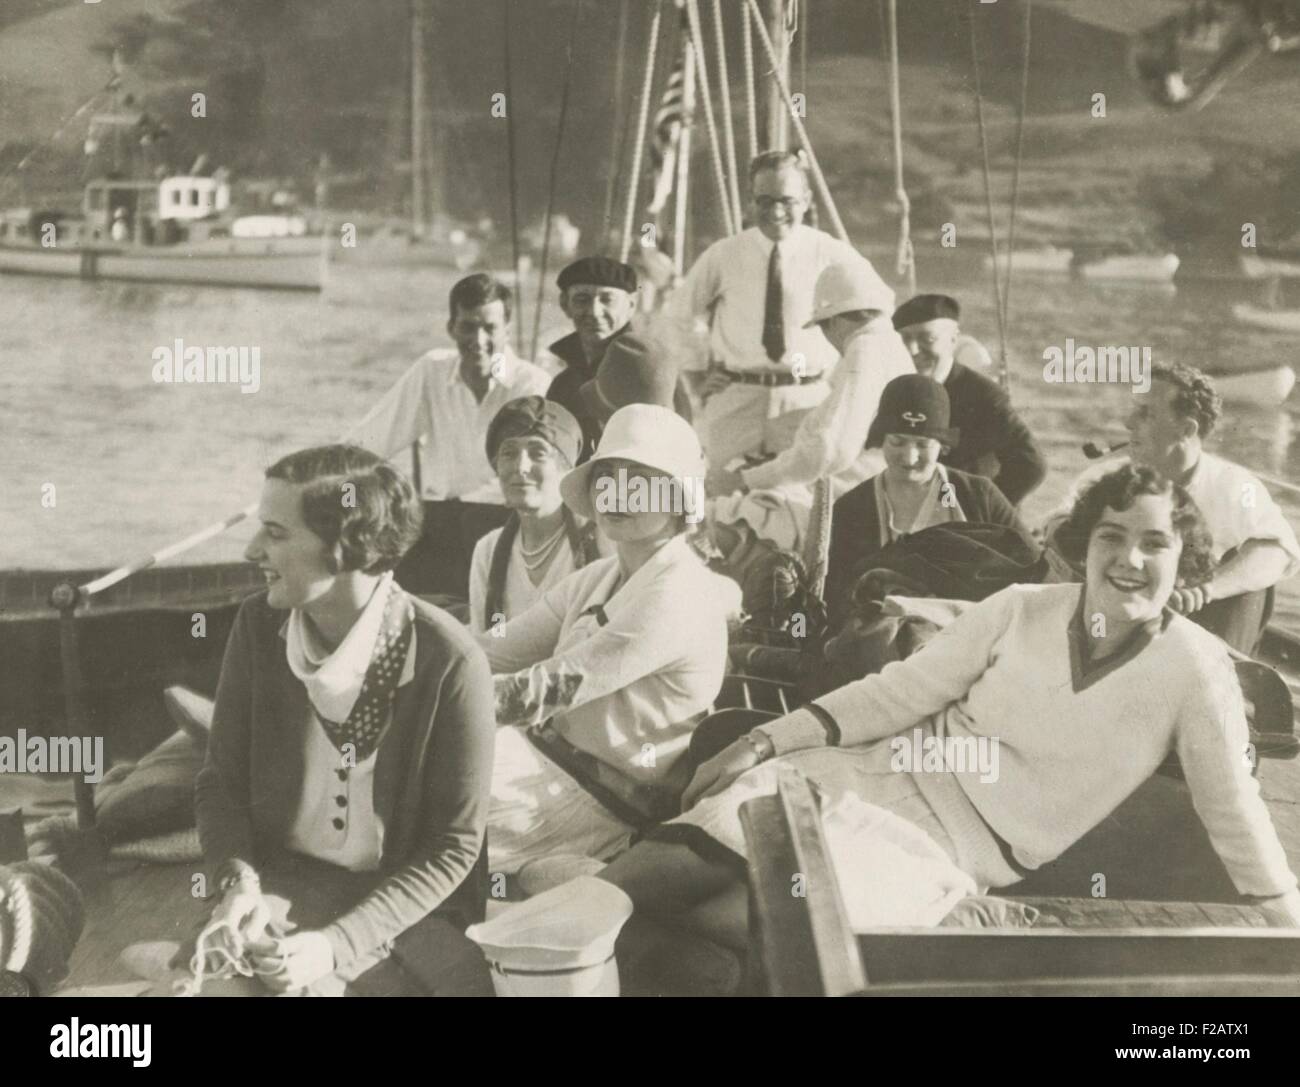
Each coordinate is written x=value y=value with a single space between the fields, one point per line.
x=432 y=774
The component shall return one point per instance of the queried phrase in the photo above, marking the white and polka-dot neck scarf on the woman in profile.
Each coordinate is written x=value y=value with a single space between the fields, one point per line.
x=362 y=674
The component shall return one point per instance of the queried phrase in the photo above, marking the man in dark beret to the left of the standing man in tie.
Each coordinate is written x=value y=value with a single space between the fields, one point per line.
x=599 y=295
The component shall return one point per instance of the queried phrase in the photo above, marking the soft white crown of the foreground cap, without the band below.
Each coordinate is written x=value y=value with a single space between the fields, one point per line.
x=567 y=928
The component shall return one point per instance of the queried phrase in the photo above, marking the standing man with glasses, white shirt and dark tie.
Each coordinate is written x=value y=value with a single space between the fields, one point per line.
x=765 y=370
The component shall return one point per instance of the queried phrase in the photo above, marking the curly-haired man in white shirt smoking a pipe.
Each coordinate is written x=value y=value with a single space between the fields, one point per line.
x=1254 y=544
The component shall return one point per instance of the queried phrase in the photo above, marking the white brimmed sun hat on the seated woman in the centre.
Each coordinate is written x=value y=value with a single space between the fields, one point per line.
x=649 y=435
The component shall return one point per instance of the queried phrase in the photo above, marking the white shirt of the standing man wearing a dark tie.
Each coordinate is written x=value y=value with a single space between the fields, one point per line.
x=729 y=288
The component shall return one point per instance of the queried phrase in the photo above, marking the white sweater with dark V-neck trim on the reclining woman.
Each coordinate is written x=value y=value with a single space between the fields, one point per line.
x=1071 y=748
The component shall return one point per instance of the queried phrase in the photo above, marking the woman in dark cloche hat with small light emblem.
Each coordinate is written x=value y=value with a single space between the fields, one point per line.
x=915 y=491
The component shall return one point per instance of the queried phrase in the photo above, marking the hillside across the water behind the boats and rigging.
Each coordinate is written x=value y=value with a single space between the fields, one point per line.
x=292 y=81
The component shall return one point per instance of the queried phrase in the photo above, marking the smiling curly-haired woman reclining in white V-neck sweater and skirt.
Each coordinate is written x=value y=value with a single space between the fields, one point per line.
x=1086 y=690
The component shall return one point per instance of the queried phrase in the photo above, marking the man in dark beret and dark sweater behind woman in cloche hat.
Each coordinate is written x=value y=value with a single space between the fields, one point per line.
x=995 y=443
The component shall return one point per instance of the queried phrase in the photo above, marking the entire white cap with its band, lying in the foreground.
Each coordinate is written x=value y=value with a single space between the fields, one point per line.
x=560 y=943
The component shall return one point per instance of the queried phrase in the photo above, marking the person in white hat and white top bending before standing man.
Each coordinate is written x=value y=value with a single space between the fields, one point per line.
x=852 y=308
